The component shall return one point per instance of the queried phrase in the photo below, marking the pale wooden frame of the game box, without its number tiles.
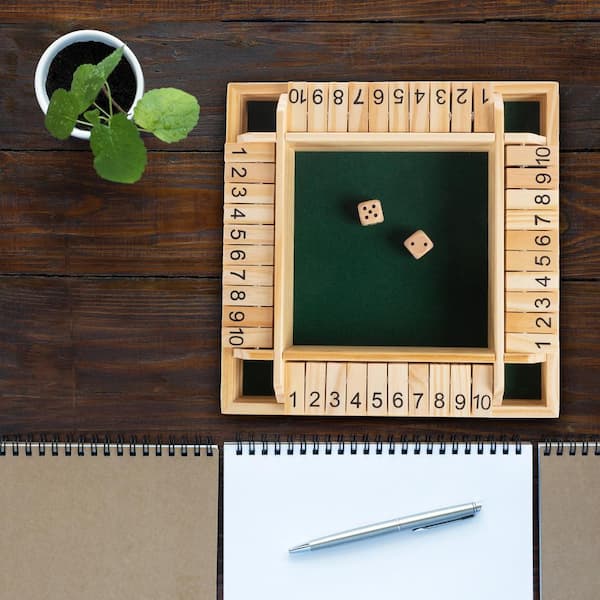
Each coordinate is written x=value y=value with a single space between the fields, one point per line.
x=283 y=351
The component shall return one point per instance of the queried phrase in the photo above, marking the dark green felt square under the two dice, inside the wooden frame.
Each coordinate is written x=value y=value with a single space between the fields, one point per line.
x=357 y=285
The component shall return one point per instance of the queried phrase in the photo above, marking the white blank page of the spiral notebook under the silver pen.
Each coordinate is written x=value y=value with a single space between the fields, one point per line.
x=281 y=496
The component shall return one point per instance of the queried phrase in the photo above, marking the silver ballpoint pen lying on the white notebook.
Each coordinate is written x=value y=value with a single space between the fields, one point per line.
x=416 y=522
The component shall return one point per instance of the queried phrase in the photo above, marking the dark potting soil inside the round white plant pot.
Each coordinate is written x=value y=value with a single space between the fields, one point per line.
x=121 y=80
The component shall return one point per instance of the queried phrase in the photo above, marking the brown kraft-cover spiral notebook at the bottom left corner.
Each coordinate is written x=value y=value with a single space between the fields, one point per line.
x=108 y=527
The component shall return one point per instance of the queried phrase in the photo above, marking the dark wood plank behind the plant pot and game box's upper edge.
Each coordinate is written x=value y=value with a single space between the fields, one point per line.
x=203 y=57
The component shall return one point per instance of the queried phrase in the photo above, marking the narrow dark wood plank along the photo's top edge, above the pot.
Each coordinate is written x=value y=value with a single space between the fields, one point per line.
x=309 y=10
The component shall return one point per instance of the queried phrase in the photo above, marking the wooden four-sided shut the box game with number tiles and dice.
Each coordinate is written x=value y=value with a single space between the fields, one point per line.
x=391 y=249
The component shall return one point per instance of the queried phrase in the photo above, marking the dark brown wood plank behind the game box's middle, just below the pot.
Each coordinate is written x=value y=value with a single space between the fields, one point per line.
x=66 y=221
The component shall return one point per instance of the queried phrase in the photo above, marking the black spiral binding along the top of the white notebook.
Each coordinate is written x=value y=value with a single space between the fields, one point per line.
x=314 y=445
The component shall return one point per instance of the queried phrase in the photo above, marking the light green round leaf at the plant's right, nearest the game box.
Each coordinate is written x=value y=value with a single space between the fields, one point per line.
x=170 y=114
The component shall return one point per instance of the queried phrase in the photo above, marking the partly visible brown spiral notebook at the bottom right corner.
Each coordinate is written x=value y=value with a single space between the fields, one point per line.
x=569 y=521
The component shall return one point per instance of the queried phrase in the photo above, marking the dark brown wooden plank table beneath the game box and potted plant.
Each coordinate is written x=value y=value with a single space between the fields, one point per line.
x=110 y=294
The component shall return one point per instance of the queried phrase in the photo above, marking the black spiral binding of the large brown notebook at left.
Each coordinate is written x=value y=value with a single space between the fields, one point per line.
x=108 y=447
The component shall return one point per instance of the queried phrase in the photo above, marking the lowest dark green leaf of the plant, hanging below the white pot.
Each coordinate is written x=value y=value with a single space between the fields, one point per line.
x=119 y=153
